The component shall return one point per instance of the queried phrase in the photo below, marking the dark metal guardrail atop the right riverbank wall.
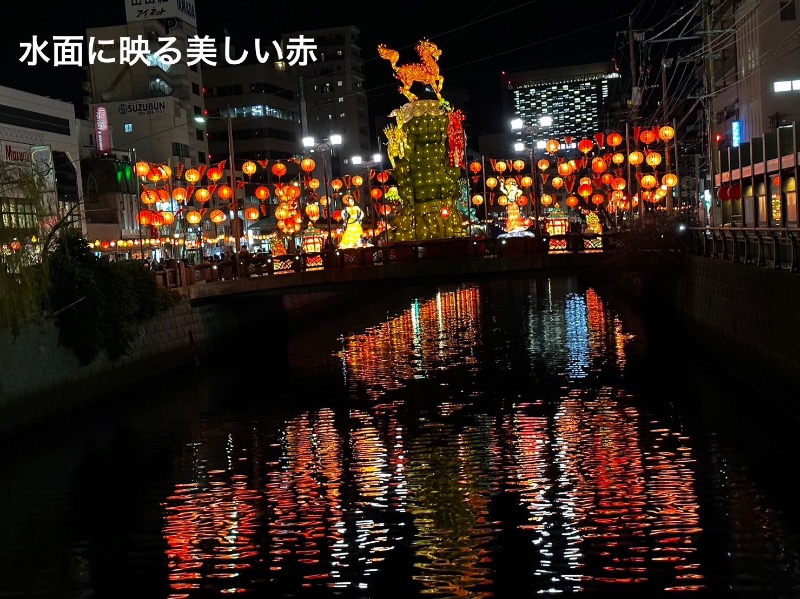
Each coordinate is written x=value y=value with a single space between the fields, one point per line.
x=769 y=247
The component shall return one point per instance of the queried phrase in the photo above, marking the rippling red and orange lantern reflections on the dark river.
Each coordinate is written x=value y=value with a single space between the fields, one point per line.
x=606 y=498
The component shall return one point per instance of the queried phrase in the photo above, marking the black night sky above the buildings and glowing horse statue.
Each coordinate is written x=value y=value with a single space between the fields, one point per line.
x=477 y=44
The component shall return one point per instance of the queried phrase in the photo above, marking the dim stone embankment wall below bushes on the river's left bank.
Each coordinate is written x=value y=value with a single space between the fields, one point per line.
x=39 y=380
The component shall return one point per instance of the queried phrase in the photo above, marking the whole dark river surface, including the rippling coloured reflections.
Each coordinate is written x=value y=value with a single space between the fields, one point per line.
x=514 y=438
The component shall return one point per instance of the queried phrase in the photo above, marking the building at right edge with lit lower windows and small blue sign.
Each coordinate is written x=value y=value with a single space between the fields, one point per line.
x=753 y=78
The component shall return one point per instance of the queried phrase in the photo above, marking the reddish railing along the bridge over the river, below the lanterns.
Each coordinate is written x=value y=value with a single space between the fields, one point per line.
x=441 y=249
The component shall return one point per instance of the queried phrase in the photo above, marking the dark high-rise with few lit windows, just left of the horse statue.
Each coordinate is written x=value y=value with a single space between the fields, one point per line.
x=332 y=94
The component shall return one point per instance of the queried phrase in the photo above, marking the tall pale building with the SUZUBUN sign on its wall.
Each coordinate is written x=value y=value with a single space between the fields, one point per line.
x=148 y=105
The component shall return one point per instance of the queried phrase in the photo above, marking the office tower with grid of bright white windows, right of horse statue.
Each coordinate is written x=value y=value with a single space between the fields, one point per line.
x=575 y=97
